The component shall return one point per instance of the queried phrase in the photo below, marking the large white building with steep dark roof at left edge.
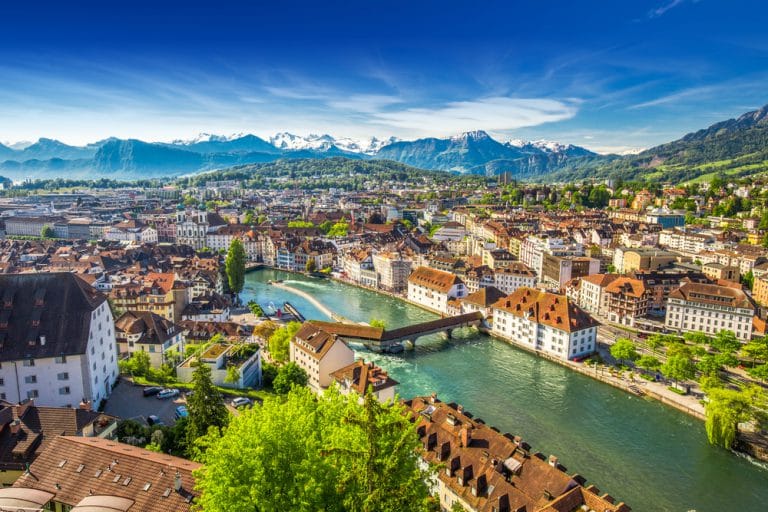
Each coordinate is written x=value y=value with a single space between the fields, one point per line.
x=57 y=340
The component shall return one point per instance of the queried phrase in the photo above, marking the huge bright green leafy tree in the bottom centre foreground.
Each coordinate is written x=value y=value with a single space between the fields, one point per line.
x=306 y=454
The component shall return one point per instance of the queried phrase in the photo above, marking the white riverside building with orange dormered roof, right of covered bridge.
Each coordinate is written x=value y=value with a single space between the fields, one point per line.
x=545 y=322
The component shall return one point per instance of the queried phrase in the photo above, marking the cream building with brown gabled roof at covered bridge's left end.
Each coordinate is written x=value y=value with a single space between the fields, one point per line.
x=320 y=354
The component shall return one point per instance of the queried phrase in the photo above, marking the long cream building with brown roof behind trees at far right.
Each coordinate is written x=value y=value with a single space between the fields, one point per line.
x=710 y=308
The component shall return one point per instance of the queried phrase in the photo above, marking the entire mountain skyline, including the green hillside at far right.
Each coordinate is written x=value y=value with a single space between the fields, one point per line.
x=735 y=147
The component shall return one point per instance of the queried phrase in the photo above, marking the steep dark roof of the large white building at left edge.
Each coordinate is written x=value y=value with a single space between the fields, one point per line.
x=55 y=307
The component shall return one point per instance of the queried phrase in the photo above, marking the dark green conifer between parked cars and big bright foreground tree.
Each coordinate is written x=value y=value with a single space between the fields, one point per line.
x=206 y=407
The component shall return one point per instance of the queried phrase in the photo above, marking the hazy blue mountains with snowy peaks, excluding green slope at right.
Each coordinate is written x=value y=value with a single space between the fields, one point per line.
x=473 y=152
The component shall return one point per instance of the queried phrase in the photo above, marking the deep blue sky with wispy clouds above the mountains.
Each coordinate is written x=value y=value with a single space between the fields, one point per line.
x=609 y=75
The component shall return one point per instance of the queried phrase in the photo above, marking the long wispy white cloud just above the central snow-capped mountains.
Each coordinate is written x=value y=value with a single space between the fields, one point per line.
x=492 y=114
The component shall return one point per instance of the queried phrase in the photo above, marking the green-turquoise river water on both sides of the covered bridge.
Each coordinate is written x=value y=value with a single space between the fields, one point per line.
x=651 y=456
